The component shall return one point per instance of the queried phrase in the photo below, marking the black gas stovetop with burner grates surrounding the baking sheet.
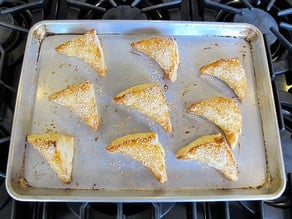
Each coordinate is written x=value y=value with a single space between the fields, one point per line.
x=271 y=17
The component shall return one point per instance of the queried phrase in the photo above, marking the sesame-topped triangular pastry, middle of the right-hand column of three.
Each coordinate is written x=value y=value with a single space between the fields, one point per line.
x=224 y=112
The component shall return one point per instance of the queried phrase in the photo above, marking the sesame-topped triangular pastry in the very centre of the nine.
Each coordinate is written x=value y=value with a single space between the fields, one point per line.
x=148 y=99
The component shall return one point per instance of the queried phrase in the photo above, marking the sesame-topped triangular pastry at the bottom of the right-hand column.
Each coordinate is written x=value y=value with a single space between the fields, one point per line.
x=214 y=151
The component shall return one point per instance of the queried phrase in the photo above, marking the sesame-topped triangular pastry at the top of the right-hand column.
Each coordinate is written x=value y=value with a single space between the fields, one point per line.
x=231 y=72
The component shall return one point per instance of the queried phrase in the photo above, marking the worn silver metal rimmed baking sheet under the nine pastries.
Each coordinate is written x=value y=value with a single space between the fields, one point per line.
x=113 y=176
